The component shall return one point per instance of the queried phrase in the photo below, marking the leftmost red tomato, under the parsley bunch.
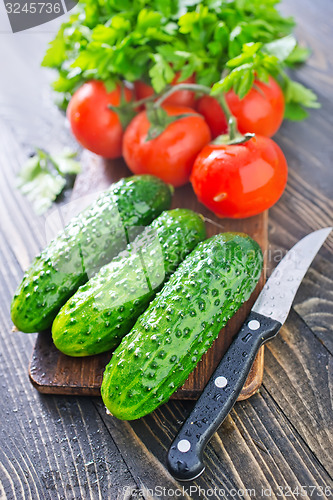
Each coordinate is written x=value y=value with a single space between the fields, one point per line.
x=94 y=125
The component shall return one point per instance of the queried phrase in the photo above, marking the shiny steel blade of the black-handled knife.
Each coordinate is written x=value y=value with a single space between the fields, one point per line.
x=276 y=298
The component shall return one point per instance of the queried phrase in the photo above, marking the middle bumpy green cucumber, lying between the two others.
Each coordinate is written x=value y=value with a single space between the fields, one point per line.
x=103 y=311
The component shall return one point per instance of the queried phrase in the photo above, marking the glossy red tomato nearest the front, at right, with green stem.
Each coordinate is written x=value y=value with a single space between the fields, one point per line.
x=240 y=180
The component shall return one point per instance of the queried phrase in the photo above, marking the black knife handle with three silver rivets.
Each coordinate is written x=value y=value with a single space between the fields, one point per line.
x=185 y=457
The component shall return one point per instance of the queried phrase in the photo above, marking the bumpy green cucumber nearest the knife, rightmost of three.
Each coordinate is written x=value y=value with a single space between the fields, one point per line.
x=180 y=324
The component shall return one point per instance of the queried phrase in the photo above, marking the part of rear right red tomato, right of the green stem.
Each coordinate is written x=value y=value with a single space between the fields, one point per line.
x=262 y=109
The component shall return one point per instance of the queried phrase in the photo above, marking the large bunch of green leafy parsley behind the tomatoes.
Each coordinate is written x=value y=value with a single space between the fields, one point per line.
x=226 y=43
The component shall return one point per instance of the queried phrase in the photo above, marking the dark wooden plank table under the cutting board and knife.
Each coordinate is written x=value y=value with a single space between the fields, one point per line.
x=270 y=445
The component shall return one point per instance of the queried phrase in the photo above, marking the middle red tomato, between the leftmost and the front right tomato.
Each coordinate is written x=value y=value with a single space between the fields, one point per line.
x=171 y=155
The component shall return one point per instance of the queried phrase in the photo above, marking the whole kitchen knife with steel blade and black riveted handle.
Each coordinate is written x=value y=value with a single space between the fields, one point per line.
x=271 y=309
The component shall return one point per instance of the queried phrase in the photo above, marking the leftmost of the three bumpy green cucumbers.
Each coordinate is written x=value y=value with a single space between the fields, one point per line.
x=88 y=242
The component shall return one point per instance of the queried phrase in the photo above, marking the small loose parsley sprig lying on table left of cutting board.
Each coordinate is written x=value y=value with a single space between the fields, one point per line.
x=43 y=177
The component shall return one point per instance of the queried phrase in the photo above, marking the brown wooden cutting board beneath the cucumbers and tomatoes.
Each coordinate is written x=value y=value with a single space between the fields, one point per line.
x=55 y=373
